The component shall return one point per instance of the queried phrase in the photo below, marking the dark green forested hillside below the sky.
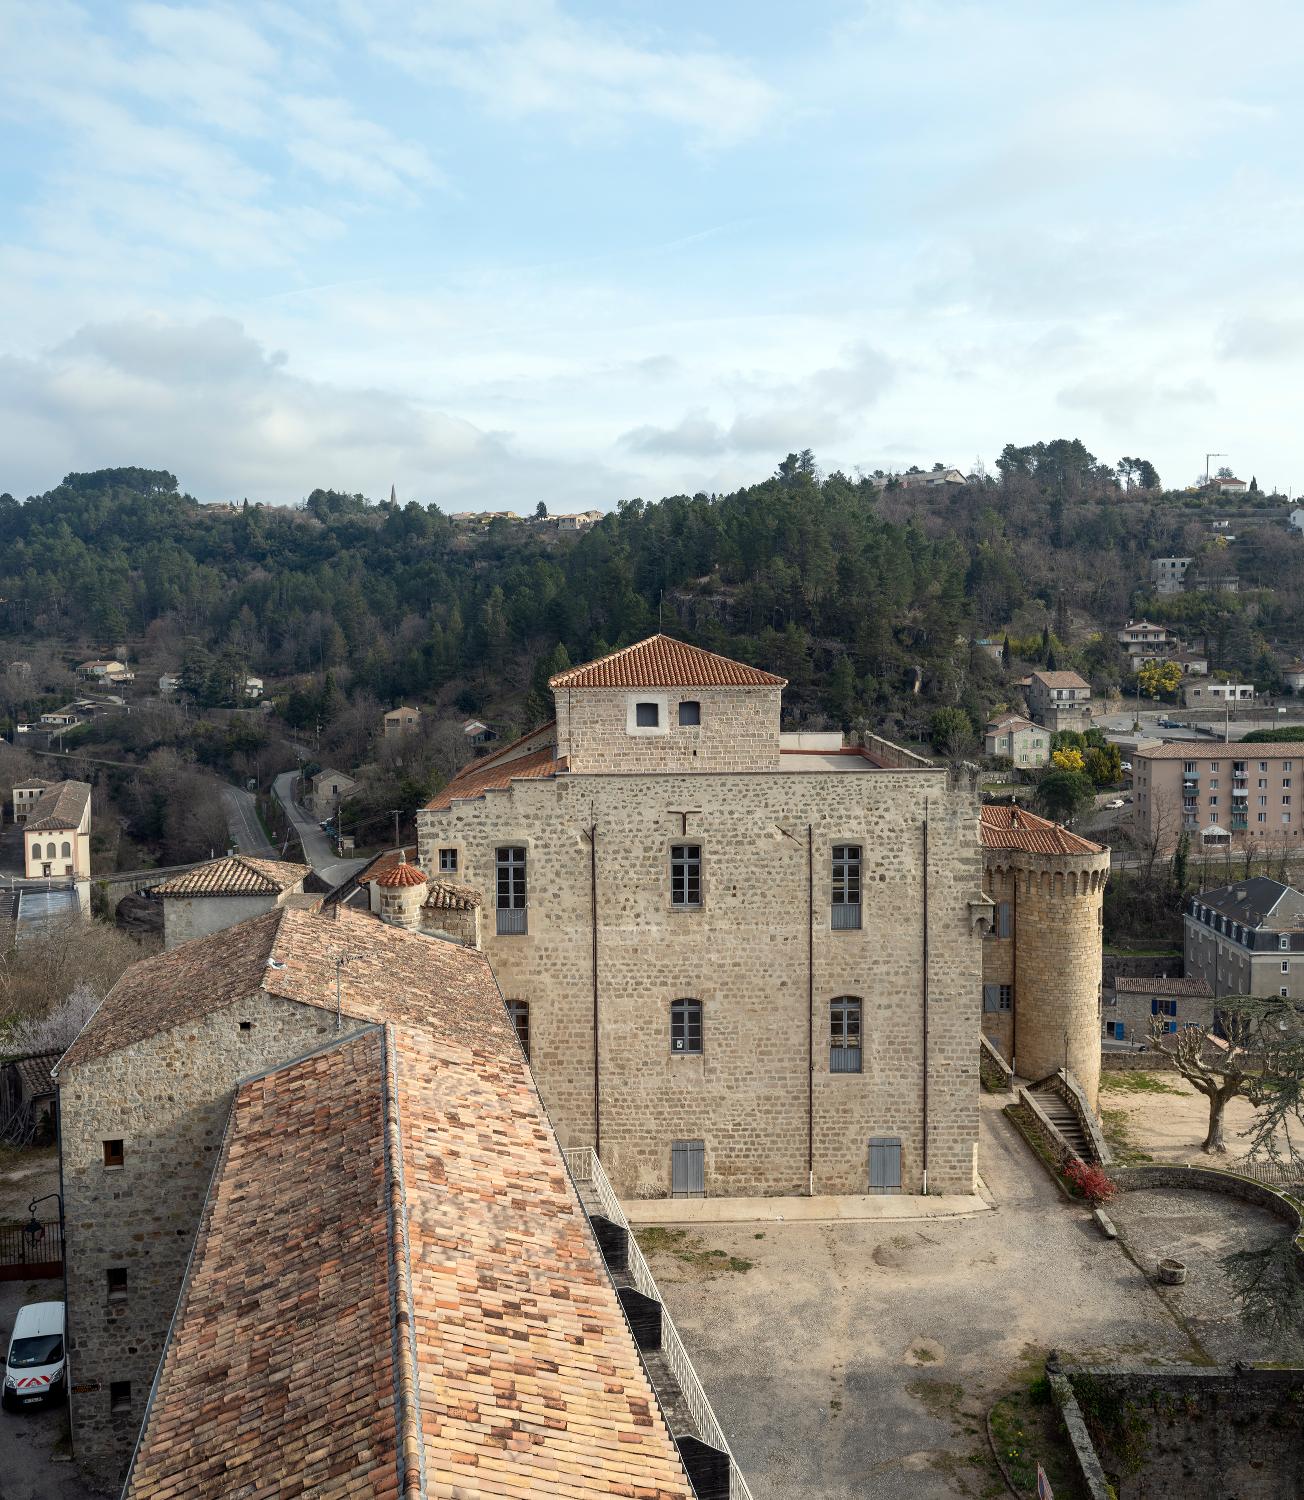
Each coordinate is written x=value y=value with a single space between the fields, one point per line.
x=865 y=596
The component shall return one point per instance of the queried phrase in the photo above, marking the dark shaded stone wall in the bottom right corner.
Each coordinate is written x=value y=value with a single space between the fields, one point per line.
x=1186 y=1435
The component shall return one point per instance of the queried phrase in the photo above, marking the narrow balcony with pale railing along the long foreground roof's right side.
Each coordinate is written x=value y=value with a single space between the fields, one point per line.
x=679 y=1391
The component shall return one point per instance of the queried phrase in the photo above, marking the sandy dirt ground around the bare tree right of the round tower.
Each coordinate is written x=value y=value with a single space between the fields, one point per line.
x=1159 y=1117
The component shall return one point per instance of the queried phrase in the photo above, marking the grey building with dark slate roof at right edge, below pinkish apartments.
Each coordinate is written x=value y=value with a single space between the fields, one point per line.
x=1248 y=940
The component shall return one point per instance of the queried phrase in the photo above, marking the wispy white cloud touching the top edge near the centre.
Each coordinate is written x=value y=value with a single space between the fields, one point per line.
x=529 y=58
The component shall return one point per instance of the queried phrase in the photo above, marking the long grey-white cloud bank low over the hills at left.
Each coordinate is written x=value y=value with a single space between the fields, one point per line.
x=212 y=406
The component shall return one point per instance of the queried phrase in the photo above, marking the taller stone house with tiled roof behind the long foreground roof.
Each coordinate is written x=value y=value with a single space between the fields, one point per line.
x=145 y=1097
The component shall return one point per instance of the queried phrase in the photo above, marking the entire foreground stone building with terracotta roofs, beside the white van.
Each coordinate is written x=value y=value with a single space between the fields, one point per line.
x=305 y=1159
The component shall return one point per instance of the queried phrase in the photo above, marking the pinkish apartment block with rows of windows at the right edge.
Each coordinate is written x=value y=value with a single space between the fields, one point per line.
x=1240 y=796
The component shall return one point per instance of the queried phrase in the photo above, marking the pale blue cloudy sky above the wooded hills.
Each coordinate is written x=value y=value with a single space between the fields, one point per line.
x=532 y=250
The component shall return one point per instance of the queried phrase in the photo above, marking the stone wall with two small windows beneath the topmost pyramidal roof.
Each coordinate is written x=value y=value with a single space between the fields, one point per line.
x=739 y=730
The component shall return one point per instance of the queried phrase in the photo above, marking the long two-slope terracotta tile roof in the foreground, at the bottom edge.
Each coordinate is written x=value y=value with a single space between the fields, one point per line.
x=493 y=1361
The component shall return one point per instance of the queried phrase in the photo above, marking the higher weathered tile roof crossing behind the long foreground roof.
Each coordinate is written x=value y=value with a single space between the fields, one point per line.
x=389 y=976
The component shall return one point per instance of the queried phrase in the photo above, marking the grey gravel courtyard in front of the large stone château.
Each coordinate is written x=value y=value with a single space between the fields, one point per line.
x=861 y=1357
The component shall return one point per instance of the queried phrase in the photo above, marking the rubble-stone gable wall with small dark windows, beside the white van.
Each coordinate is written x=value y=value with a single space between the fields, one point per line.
x=167 y=1100
